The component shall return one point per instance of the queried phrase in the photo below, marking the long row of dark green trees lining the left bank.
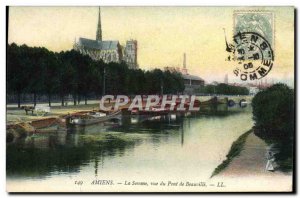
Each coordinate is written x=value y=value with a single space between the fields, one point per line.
x=35 y=70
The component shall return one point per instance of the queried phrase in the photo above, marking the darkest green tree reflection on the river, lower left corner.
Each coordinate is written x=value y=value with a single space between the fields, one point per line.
x=41 y=155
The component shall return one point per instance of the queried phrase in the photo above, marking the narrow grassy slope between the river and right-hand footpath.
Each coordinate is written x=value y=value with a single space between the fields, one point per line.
x=234 y=151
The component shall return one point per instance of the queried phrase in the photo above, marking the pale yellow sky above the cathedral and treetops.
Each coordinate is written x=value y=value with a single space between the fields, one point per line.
x=163 y=34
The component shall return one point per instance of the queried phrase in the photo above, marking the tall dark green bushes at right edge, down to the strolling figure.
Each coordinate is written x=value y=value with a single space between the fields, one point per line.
x=273 y=113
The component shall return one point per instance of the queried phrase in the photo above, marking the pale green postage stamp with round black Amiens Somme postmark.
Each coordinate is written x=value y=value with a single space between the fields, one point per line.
x=252 y=46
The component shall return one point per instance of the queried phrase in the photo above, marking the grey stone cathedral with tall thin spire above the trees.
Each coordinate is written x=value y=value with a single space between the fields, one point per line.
x=109 y=50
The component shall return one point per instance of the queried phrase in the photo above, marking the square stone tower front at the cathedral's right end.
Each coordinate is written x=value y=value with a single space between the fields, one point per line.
x=130 y=54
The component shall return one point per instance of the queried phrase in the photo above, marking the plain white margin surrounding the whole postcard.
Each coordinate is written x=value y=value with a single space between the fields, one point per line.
x=4 y=3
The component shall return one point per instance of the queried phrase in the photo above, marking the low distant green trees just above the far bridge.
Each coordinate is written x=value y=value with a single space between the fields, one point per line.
x=224 y=89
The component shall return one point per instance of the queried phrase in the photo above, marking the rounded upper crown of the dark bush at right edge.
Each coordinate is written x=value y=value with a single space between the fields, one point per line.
x=273 y=111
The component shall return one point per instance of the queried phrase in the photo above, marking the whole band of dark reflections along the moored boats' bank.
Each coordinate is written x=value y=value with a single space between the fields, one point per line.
x=46 y=155
